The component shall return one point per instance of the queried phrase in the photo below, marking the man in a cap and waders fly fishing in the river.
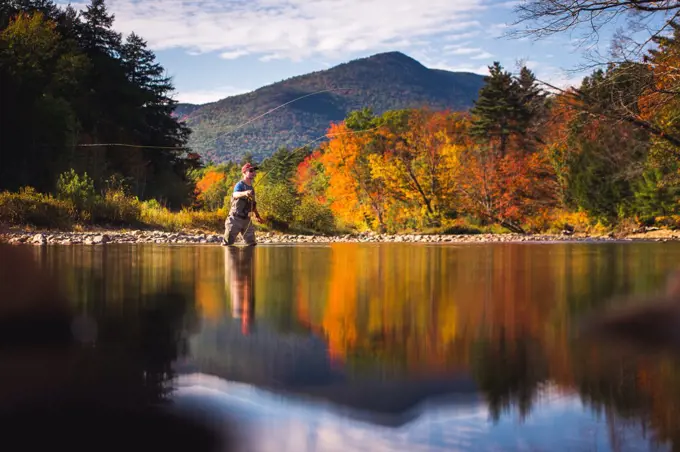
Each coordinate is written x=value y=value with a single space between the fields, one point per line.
x=242 y=204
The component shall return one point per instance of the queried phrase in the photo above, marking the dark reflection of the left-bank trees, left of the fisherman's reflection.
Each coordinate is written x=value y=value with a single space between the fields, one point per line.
x=139 y=298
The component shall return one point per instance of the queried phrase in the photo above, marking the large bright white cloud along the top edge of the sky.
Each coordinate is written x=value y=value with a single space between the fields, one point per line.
x=292 y=29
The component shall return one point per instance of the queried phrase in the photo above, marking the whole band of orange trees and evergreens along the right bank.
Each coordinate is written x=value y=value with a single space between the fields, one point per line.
x=522 y=159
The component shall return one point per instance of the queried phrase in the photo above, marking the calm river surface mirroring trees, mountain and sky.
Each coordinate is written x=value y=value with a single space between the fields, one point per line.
x=387 y=347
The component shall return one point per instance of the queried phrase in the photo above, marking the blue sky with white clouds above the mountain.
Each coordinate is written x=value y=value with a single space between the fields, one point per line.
x=217 y=48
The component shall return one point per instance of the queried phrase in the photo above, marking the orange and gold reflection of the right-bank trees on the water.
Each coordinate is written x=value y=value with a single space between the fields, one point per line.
x=504 y=313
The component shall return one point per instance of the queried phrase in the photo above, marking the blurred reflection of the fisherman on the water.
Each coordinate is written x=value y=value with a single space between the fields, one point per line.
x=240 y=277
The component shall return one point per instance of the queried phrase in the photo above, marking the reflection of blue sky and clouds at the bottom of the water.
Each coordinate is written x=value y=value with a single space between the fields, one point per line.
x=279 y=423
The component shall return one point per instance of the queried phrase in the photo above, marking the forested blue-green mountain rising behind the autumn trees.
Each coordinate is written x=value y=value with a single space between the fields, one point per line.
x=382 y=82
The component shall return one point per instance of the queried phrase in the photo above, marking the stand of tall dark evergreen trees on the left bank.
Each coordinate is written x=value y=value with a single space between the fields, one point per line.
x=67 y=79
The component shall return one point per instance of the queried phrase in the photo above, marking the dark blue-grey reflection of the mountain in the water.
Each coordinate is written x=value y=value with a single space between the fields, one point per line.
x=300 y=364
